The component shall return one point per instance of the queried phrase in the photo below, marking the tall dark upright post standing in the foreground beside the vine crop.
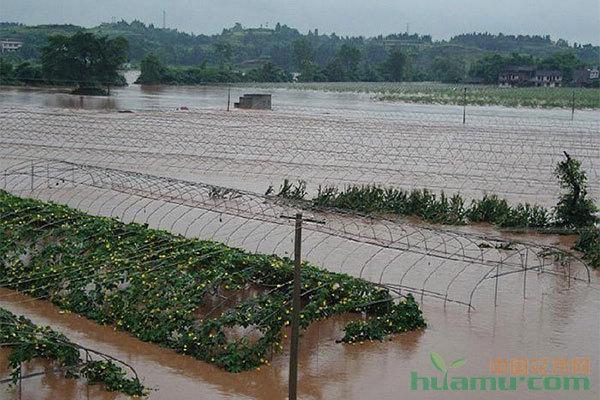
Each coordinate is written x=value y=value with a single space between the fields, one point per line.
x=293 y=377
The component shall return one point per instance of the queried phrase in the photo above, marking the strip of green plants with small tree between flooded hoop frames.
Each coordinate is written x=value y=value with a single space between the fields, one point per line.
x=574 y=213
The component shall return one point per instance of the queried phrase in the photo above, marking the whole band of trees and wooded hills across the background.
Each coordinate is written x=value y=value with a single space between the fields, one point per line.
x=280 y=54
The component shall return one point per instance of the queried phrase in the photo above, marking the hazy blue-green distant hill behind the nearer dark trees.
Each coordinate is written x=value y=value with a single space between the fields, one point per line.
x=255 y=46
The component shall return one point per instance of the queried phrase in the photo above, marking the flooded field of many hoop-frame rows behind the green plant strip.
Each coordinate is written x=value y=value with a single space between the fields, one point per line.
x=511 y=157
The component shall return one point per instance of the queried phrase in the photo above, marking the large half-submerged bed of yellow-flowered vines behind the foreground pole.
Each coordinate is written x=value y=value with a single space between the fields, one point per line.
x=176 y=291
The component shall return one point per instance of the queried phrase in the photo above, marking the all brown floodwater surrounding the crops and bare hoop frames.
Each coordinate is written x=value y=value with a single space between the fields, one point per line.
x=323 y=138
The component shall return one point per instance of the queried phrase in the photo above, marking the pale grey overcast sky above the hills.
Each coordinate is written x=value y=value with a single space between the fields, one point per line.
x=574 y=20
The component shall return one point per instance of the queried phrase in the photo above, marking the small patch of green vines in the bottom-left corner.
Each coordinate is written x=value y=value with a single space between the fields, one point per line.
x=28 y=342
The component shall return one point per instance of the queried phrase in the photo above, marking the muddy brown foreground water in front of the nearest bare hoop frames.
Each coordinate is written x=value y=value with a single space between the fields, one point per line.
x=555 y=323
